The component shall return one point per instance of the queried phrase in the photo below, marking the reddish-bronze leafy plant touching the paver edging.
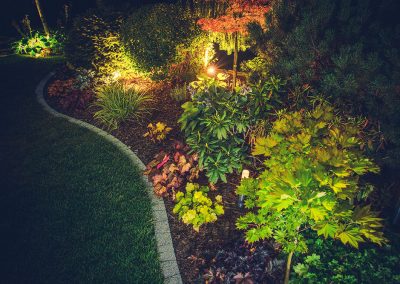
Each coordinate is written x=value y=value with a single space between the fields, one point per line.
x=169 y=171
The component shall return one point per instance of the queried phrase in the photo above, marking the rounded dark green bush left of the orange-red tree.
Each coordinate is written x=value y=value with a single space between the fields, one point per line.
x=152 y=34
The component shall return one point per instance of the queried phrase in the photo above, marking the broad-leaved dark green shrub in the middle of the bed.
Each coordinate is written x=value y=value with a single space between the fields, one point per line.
x=216 y=122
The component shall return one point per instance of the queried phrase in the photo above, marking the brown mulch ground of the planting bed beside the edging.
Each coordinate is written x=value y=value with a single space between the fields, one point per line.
x=191 y=248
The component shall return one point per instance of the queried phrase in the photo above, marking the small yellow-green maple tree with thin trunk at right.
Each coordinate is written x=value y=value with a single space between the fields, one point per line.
x=312 y=178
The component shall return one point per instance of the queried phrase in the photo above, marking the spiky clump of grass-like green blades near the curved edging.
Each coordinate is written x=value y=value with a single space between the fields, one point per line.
x=118 y=104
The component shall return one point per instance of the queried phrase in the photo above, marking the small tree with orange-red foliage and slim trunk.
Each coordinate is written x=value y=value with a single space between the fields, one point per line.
x=239 y=14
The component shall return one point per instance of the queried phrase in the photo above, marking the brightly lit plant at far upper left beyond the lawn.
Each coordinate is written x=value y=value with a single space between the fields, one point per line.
x=38 y=45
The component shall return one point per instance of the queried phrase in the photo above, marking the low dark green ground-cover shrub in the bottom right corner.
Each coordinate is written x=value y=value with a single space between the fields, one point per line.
x=328 y=261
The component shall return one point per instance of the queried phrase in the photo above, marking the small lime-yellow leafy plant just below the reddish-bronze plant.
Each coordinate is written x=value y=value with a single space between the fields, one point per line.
x=194 y=207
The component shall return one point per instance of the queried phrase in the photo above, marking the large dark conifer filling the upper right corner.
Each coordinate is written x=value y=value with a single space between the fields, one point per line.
x=346 y=50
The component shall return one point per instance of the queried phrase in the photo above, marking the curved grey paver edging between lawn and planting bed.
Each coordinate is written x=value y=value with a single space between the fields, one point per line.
x=165 y=247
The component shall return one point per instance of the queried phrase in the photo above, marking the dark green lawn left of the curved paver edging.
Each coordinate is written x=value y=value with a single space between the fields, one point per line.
x=72 y=208
